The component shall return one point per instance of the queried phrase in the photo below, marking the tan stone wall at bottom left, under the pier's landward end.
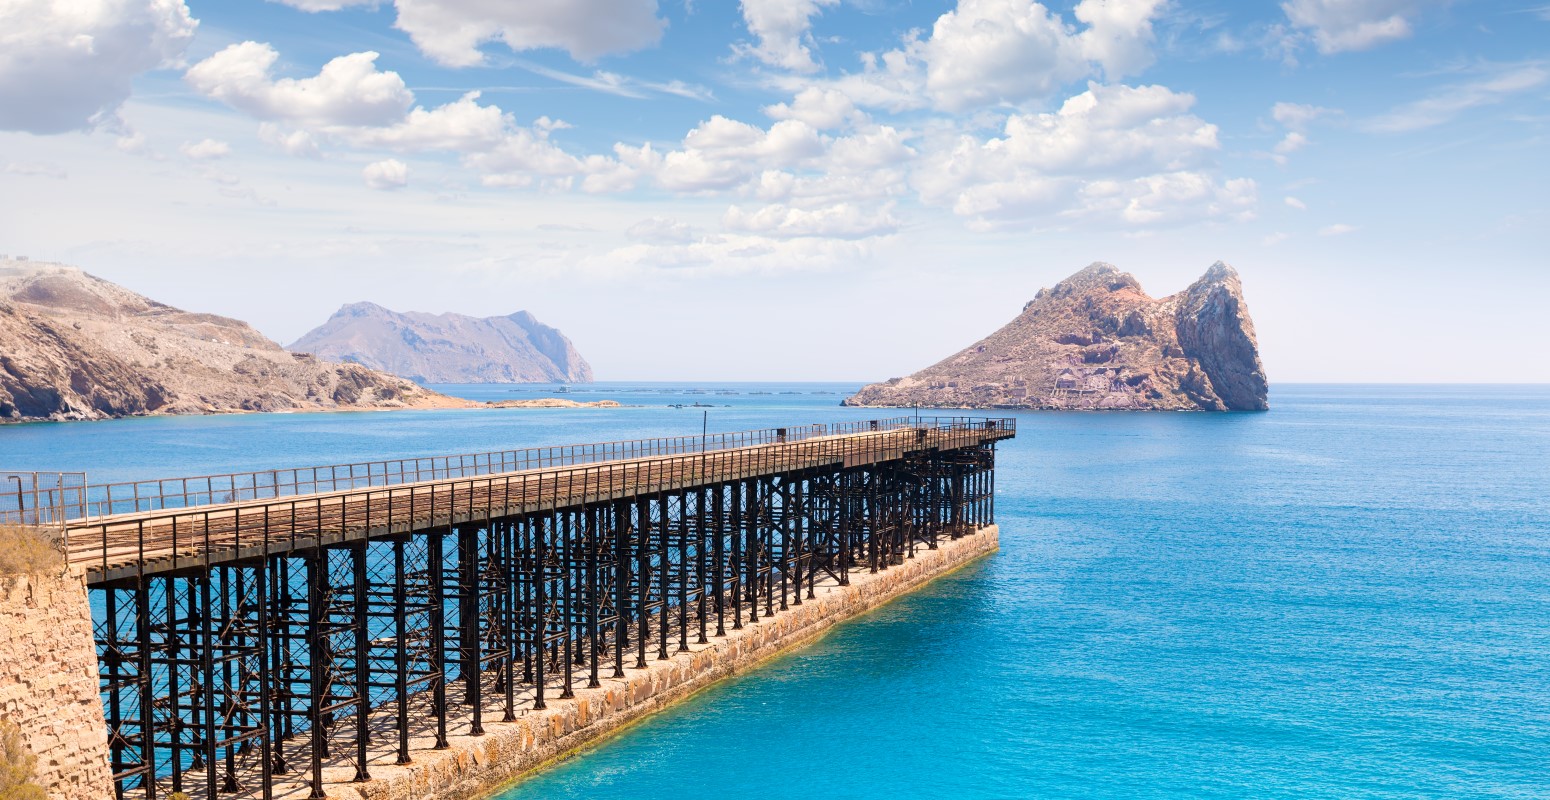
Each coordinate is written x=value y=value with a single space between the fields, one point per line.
x=49 y=683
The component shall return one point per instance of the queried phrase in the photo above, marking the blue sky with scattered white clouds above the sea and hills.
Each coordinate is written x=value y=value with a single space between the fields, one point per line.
x=801 y=188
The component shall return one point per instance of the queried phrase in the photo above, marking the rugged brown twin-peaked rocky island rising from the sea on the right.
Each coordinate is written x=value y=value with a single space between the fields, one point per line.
x=1098 y=342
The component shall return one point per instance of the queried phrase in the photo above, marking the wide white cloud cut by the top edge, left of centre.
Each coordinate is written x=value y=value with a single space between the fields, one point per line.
x=452 y=32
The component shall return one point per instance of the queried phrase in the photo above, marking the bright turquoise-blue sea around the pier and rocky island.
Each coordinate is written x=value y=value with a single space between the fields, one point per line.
x=1345 y=598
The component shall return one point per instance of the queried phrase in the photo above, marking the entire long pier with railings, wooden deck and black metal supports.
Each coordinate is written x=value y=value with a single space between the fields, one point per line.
x=288 y=633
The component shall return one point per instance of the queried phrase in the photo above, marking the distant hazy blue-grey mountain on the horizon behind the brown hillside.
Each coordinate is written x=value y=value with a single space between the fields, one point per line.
x=447 y=348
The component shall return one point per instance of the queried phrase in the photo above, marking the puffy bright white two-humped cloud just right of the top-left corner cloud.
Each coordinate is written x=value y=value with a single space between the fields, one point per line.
x=350 y=91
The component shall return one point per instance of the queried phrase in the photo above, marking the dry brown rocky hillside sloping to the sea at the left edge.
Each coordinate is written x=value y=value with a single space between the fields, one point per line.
x=75 y=347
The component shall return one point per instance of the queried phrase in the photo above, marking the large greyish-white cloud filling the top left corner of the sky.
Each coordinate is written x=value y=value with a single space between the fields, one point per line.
x=64 y=66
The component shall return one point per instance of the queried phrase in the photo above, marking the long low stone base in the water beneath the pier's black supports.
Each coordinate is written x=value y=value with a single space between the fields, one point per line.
x=478 y=767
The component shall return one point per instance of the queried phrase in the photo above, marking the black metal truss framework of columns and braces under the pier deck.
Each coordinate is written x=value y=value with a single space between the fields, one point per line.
x=232 y=678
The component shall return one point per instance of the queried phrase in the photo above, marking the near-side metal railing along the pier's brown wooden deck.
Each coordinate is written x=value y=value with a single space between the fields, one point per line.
x=280 y=525
